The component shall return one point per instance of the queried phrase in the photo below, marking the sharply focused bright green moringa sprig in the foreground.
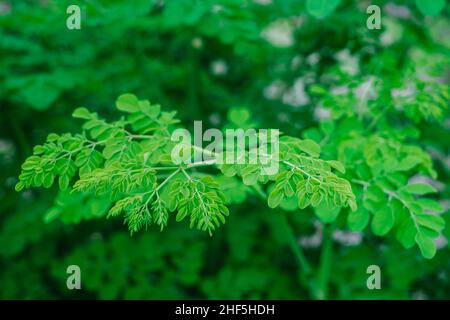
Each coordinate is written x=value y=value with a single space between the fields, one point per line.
x=131 y=161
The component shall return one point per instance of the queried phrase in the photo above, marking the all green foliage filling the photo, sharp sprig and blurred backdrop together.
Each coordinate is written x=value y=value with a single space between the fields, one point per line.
x=364 y=151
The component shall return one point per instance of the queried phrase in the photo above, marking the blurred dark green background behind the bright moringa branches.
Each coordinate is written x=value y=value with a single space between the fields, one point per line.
x=201 y=58
